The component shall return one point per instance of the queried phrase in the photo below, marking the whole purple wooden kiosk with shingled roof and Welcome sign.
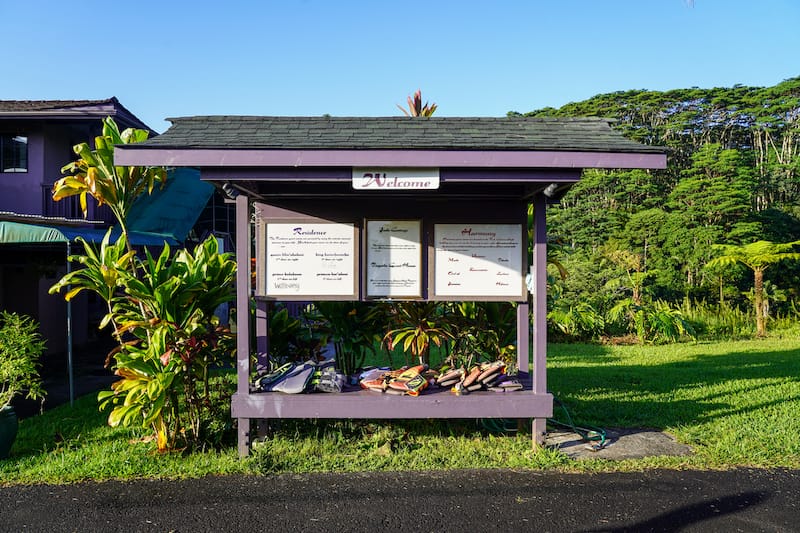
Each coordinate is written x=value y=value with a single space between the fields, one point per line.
x=318 y=199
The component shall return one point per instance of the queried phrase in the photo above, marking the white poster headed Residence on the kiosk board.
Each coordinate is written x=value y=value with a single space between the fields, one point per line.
x=310 y=258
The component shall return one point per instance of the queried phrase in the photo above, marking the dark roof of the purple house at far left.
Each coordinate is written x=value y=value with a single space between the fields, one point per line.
x=70 y=110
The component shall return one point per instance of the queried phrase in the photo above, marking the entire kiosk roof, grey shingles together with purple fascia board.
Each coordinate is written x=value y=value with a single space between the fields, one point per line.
x=217 y=141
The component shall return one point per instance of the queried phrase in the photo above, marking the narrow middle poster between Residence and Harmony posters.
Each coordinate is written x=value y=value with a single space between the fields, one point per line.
x=394 y=259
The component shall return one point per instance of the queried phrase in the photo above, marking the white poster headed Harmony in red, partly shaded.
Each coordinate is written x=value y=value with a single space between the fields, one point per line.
x=478 y=260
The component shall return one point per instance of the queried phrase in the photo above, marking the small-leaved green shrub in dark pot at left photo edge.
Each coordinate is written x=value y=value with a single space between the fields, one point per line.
x=21 y=347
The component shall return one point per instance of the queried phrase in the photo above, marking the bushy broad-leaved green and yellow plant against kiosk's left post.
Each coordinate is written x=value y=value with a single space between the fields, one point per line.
x=162 y=310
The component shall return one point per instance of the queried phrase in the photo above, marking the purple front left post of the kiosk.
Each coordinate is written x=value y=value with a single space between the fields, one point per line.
x=243 y=314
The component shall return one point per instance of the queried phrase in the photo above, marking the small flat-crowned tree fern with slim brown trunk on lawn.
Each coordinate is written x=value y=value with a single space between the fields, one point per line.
x=757 y=256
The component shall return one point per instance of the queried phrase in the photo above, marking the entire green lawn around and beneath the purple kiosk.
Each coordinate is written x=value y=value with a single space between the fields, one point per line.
x=735 y=403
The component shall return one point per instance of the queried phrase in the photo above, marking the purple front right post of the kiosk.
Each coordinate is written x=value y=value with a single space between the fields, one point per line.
x=539 y=310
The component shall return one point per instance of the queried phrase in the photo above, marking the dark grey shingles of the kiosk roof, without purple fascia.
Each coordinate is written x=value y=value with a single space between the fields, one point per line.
x=395 y=133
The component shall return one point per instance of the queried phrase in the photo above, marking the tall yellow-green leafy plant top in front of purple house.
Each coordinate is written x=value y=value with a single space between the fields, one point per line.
x=94 y=174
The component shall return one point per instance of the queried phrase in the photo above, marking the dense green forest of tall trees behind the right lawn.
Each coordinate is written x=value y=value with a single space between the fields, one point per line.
x=733 y=178
